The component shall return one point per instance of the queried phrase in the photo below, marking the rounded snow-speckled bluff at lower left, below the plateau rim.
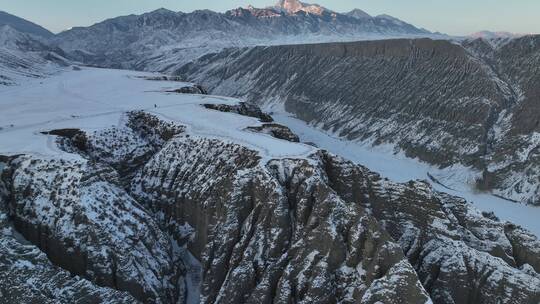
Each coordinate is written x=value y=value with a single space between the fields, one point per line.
x=78 y=215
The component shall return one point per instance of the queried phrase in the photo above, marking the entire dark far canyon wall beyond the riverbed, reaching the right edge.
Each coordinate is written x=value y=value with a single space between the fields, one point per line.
x=438 y=101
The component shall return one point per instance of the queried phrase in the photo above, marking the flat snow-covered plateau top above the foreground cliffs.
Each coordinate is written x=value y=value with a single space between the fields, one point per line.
x=93 y=99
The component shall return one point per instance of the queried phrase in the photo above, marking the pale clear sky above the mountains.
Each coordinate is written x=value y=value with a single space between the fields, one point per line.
x=456 y=17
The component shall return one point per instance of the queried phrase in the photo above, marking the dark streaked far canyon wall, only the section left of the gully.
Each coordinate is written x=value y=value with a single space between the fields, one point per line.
x=428 y=93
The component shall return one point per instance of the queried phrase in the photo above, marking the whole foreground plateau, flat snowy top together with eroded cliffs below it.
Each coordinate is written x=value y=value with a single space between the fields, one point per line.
x=119 y=186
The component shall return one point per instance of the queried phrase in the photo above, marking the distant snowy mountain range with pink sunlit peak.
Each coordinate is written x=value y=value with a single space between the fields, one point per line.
x=162 y=39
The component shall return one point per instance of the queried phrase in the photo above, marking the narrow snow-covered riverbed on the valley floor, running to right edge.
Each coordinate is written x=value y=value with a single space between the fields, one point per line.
x=397 y=167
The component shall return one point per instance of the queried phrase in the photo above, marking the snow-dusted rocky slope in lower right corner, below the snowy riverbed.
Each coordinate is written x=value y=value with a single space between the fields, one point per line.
x=451 y=245
